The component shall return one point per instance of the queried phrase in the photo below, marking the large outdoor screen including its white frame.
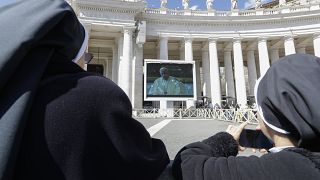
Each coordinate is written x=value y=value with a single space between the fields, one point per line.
x=169 y=80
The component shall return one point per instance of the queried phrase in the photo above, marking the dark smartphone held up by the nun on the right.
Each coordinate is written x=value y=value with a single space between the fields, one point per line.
x=254 y=139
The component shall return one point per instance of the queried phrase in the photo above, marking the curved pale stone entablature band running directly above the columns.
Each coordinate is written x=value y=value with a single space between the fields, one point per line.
x=230 y=30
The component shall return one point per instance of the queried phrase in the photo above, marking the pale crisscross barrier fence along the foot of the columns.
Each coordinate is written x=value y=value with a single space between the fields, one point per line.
x=231 y=115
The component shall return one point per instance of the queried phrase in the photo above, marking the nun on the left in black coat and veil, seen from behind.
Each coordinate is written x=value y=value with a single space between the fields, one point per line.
x=58 y=121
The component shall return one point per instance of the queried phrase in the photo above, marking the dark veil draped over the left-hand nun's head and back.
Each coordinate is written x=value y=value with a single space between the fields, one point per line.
x=33 y=34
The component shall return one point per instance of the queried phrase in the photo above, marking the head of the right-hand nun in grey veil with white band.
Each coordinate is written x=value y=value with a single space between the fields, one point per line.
x=288 y=102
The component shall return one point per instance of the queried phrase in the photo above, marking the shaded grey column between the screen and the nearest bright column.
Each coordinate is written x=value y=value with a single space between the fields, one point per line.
x=206 y=72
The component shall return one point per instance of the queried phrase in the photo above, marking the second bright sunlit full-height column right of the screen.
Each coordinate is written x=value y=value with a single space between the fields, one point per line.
x=239 y=73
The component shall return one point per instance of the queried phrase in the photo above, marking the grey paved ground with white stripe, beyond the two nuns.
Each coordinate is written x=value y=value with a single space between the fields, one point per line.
x=177 y=133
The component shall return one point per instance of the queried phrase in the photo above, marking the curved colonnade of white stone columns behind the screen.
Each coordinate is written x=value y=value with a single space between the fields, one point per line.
x=128 y=58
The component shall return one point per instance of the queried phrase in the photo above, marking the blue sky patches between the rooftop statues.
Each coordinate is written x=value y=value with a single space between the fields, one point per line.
x=201 y=4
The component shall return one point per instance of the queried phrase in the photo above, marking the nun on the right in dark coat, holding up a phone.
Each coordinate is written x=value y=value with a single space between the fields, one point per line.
x=288 y=103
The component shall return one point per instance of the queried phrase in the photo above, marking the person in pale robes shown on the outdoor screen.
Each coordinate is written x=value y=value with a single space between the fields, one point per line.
x=166 y=85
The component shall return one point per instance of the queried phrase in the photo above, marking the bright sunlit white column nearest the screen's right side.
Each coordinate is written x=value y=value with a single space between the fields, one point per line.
x=214 y=73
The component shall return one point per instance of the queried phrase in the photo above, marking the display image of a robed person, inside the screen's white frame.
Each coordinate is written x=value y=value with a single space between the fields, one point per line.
x=176 y=80
